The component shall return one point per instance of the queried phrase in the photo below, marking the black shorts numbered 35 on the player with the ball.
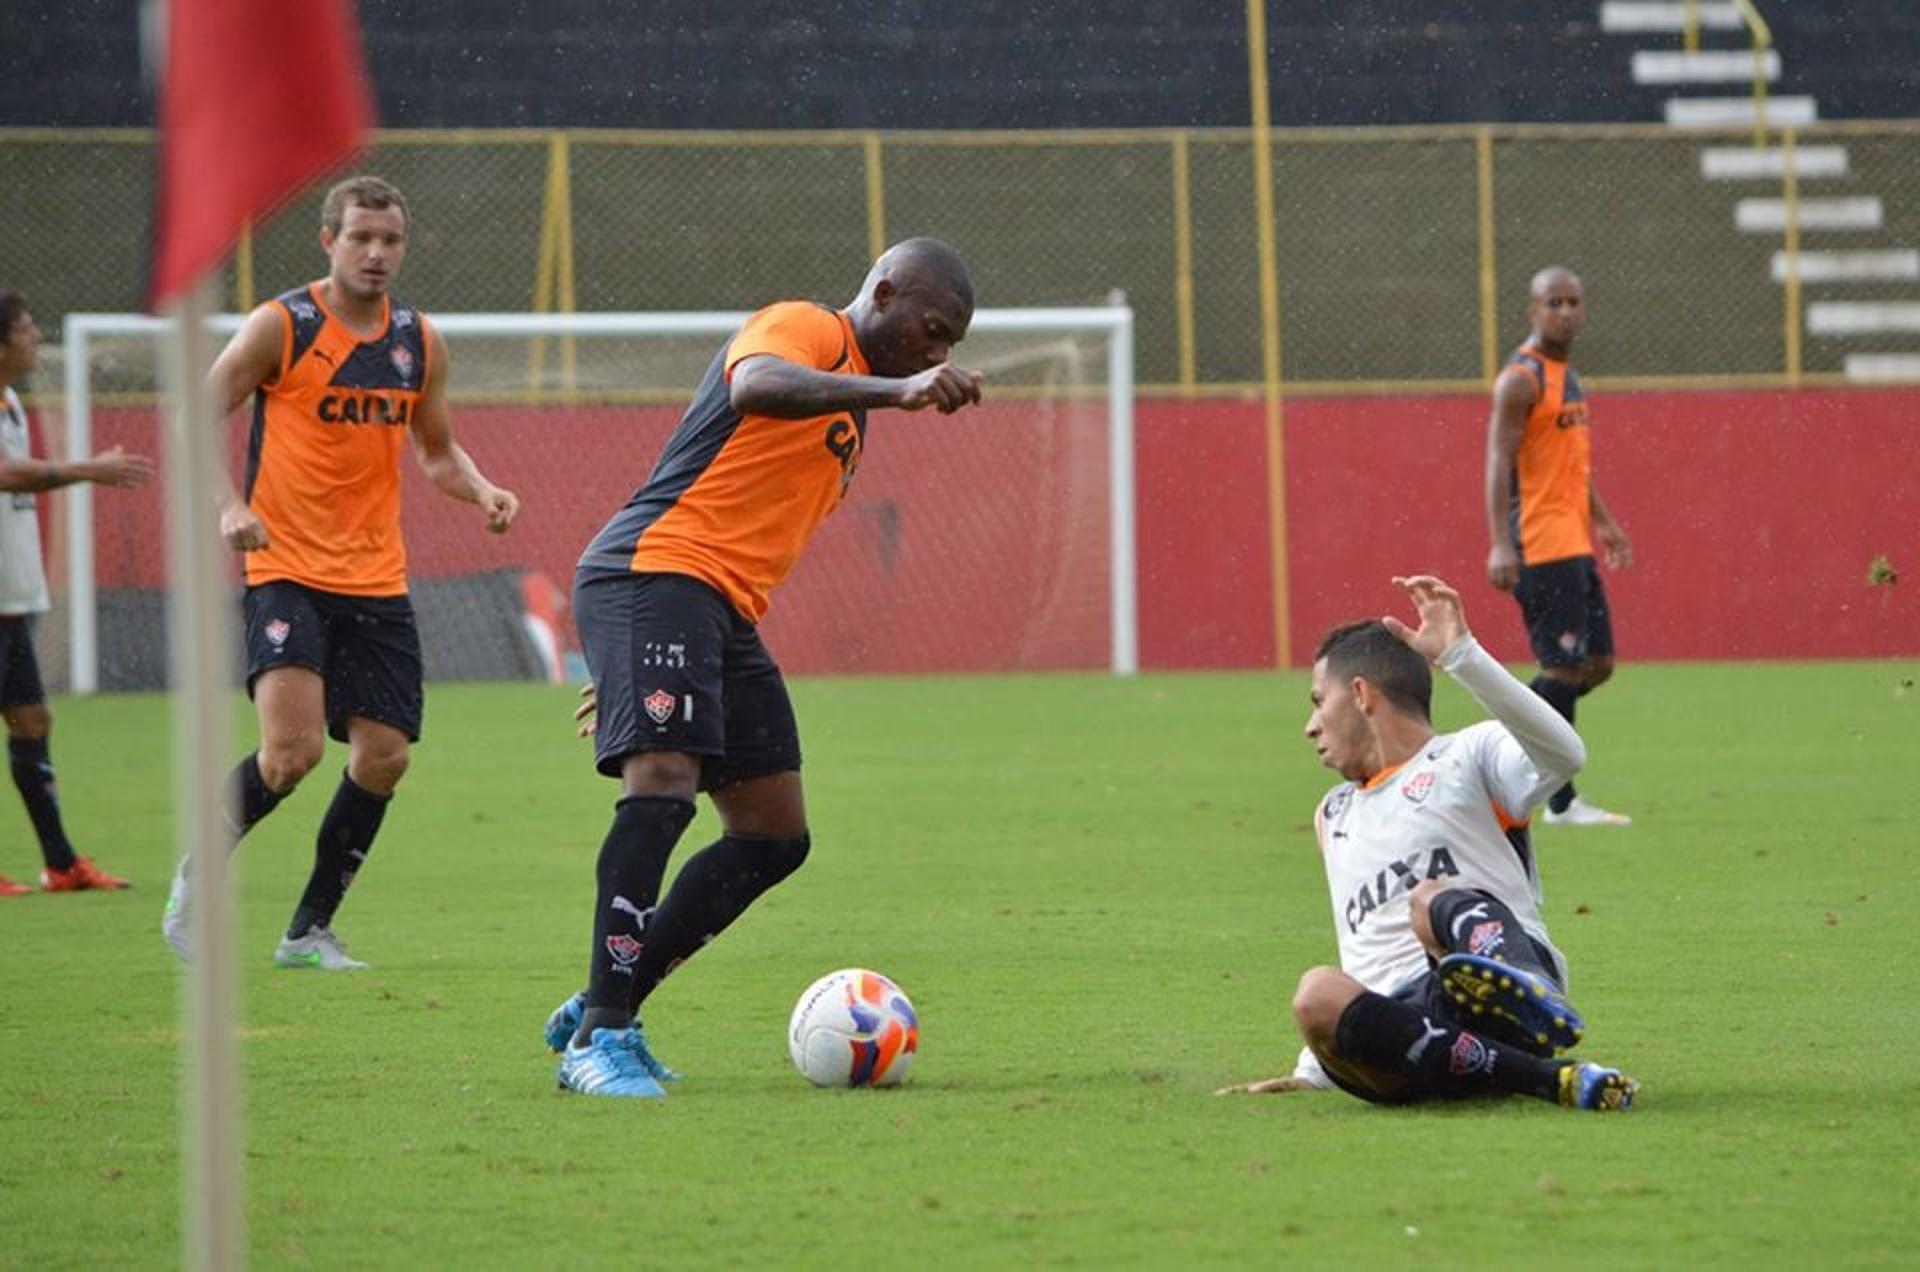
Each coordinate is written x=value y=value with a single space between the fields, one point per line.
x=679 y=670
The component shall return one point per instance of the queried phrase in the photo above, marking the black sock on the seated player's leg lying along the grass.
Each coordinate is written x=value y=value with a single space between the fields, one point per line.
x=1439 y=1060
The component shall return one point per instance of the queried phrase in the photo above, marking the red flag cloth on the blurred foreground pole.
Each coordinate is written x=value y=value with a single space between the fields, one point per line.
x=256 y=103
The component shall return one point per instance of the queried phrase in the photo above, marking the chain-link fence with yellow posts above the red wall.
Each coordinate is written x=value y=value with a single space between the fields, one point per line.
x=1403 y=253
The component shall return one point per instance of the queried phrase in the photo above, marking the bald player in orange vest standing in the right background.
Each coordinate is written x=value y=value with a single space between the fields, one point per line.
x=1545 y=516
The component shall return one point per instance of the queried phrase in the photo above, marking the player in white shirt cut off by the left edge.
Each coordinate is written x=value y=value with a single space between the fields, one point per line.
x=24 y=597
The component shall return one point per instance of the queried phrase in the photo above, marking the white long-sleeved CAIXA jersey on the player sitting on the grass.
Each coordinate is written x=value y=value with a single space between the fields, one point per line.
x=1456 y=812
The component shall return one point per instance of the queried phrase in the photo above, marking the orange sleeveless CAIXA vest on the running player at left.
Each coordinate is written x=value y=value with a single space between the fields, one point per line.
x=324 y=453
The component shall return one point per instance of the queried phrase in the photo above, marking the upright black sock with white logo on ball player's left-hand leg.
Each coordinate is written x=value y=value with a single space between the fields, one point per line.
x=629 y=883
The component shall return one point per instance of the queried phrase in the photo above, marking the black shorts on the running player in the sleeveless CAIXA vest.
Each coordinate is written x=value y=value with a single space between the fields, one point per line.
x=366 y=648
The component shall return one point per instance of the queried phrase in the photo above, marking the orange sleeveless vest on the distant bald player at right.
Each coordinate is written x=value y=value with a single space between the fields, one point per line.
x=1550 y=504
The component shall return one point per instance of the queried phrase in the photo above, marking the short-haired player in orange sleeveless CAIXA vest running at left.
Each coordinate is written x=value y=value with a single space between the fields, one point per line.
x=341 y=376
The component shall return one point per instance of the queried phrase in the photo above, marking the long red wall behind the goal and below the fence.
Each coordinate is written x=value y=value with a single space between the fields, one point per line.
x=1754 y=520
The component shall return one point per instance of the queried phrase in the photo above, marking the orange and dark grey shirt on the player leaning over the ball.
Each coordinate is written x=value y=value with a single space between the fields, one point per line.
x=734 y=499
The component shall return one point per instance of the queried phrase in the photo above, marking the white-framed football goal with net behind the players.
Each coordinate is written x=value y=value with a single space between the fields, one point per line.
x=999 y=539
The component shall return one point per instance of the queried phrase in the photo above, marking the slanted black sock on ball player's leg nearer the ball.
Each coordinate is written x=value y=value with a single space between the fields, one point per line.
x=715 y=889
